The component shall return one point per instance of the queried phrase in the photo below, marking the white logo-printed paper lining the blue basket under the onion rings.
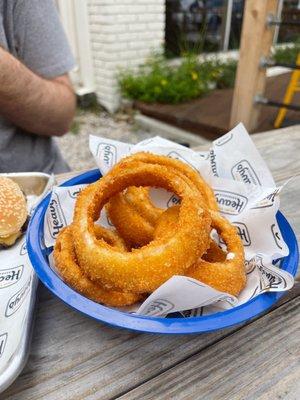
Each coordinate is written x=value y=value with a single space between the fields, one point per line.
x=246 y=194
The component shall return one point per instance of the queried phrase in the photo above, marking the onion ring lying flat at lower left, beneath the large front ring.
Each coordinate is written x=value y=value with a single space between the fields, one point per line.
x=68 y=268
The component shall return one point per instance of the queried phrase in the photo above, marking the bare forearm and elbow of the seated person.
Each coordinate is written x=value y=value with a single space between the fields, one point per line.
x=38 y=105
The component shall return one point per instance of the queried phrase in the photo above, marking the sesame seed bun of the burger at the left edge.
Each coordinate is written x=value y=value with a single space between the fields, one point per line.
x=13 y=211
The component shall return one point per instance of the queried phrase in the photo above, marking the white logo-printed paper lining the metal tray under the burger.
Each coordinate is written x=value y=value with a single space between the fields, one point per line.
x=17 y=288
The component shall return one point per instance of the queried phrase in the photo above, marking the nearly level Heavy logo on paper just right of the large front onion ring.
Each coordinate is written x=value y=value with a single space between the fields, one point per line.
x=230 y=202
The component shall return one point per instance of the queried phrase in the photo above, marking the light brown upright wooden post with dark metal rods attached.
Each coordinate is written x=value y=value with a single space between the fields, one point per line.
x=256 y=41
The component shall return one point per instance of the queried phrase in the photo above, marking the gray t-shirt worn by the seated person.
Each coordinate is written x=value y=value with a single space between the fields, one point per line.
x=31 y=31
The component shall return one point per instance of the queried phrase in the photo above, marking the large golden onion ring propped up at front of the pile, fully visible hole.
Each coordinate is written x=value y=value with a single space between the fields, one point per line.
x=141 y=270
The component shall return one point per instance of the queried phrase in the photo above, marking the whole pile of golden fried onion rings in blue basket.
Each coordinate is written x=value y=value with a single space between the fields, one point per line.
x=150 y=244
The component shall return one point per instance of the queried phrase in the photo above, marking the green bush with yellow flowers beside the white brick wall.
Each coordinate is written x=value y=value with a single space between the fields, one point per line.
x=158 y=81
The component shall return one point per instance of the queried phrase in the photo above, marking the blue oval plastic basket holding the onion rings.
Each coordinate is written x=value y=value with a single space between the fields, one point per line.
x=237 y=315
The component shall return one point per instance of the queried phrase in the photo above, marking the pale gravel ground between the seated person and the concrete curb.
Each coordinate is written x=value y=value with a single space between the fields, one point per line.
x=74 y=145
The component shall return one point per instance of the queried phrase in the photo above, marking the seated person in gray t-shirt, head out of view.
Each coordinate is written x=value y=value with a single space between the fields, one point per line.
x=37 y=100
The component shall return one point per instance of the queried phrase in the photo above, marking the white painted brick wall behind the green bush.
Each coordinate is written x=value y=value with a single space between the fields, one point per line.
x=123 y=34
